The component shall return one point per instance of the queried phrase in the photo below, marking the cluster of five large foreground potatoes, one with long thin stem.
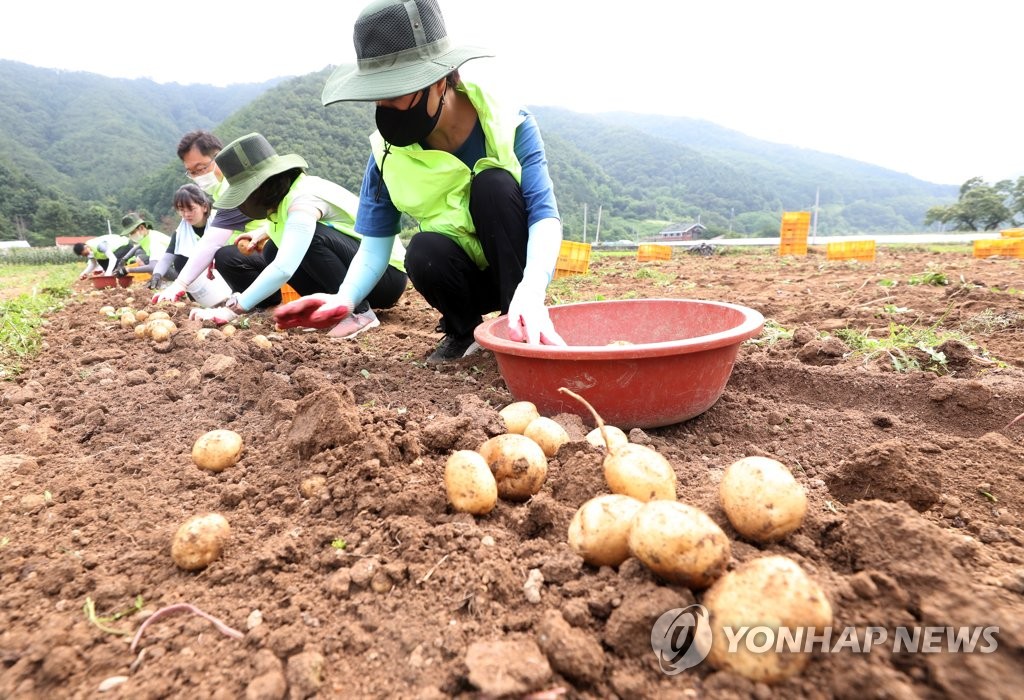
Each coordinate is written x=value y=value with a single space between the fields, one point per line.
x=682 y=545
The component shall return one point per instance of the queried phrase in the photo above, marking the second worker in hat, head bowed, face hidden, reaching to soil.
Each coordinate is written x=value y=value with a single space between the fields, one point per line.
x=312 y=237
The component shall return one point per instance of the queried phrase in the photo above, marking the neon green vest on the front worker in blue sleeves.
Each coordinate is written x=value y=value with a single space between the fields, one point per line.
x=433 y=187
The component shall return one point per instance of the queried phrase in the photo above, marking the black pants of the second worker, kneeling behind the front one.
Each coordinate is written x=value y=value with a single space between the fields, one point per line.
x=322 y=271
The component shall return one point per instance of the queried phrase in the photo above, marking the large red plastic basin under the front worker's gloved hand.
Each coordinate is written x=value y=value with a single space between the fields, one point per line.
x=676 y=366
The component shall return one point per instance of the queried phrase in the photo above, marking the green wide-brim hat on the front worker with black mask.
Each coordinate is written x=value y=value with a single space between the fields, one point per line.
x=402 y=47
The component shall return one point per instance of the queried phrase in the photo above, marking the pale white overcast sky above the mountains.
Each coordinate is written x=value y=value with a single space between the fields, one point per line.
x=926 y=89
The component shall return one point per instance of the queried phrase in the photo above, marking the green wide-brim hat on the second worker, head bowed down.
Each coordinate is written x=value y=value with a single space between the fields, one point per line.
x=247 y=163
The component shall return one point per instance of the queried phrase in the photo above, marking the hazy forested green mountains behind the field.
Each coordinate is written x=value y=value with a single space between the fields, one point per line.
x=77 y=150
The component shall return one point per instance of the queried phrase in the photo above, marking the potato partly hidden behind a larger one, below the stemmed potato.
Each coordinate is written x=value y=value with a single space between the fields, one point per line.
x=600 y=532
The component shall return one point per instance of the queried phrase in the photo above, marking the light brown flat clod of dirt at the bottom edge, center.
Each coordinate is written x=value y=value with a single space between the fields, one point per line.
x=501 y=669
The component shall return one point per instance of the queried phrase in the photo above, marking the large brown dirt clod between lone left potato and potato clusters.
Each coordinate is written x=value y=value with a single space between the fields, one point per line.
x=324 y=420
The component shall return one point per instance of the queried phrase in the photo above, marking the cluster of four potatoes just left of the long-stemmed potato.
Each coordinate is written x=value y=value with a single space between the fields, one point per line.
x=513 y=466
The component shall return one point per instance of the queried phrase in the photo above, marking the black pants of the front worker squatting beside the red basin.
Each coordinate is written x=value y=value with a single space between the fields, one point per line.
x=446 y=276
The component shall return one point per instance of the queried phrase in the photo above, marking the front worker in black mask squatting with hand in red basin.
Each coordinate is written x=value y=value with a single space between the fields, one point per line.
x=470 y=169
